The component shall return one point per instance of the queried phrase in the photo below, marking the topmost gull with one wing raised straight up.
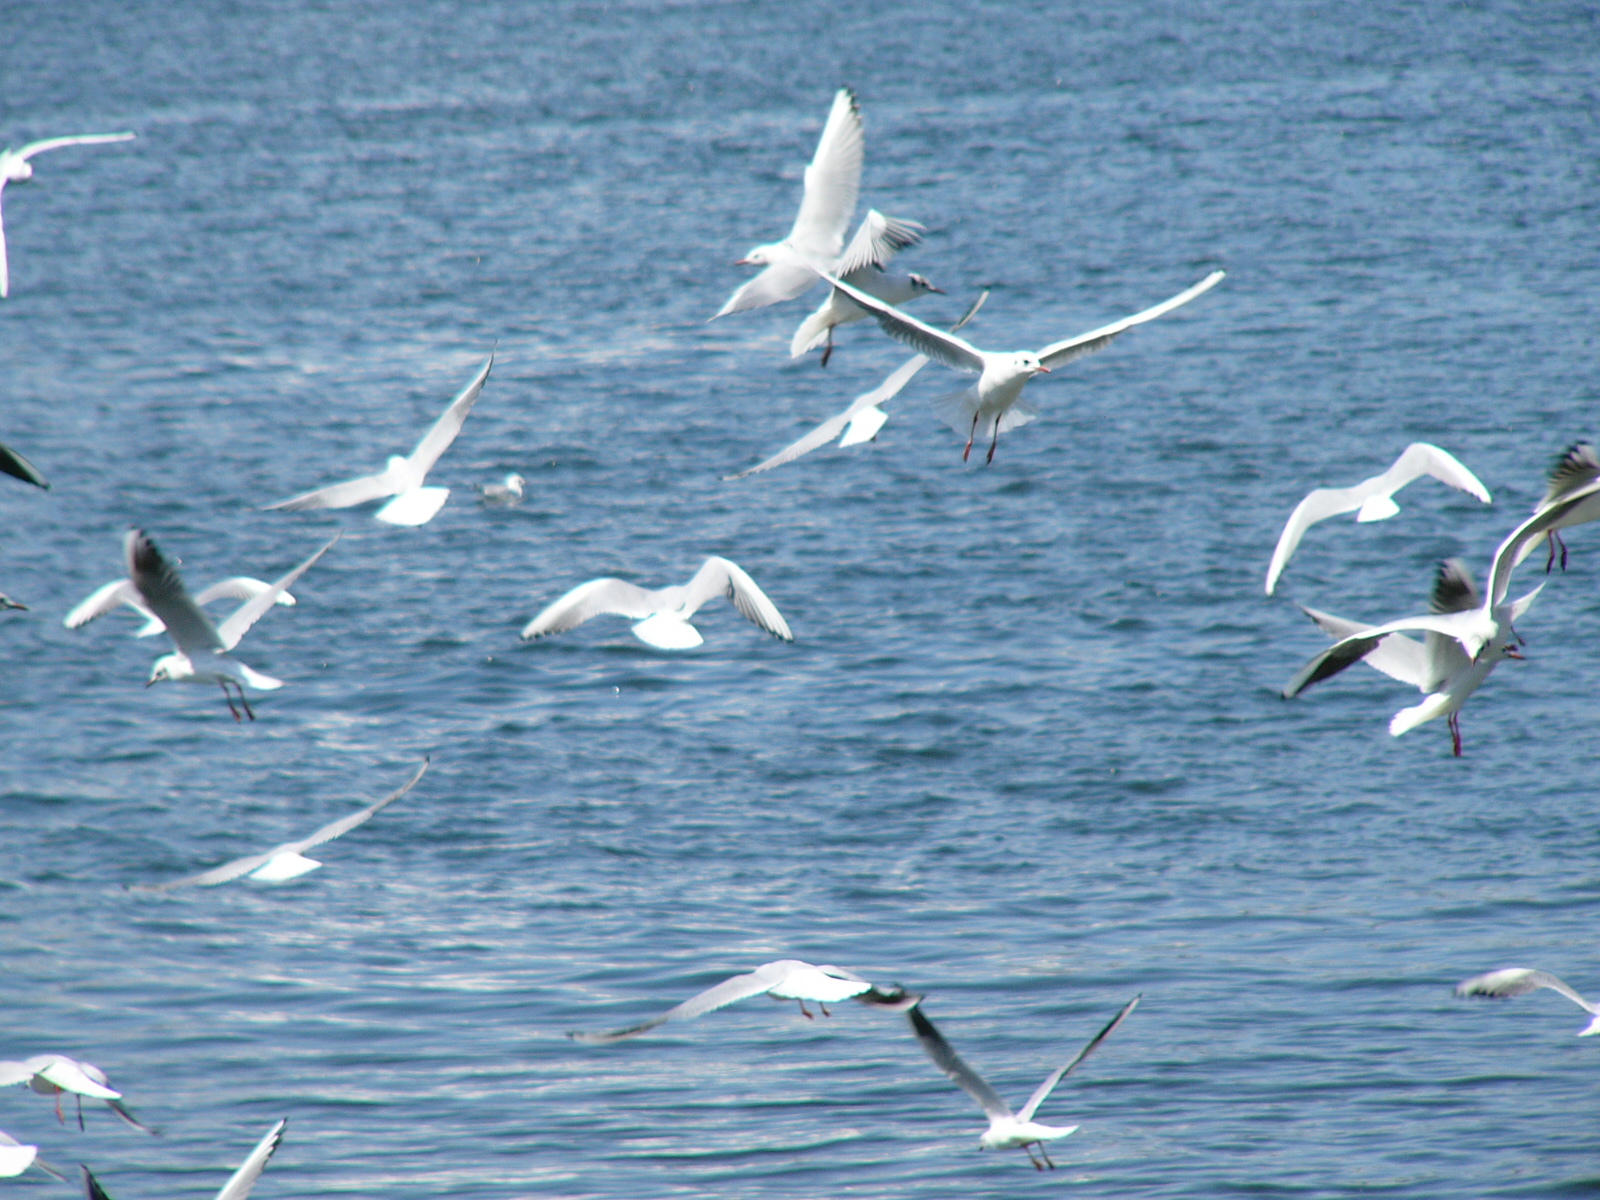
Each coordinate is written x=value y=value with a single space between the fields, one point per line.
x=833 y=183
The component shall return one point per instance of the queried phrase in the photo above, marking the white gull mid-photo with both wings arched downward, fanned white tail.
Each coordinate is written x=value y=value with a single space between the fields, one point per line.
x=663 y=615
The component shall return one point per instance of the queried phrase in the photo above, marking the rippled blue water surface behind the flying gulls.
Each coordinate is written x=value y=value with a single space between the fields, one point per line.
x=1026 y=753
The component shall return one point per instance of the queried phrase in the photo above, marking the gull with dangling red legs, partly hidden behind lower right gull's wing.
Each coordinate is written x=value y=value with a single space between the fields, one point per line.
x=1438 y=666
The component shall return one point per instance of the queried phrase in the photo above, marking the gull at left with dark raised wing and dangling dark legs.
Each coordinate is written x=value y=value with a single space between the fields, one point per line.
x=202 y=649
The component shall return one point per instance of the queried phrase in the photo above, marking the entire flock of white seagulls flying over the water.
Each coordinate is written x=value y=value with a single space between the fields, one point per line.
x=1465 y=636
